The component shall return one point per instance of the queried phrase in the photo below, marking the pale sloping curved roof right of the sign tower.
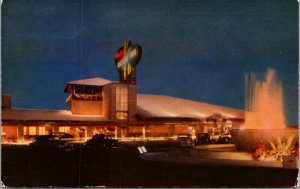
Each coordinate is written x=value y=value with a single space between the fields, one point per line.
x=168 y=107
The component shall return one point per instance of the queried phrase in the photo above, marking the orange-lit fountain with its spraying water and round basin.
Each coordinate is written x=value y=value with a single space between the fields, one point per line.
x=264 y=116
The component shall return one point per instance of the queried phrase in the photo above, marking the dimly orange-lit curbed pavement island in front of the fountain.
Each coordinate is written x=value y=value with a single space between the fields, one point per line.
x=214 y=154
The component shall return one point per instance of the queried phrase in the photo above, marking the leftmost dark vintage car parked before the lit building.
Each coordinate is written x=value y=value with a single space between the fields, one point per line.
x=50 y=143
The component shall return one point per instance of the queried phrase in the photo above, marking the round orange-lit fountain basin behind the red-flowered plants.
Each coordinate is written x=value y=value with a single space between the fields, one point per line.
x=247 y=139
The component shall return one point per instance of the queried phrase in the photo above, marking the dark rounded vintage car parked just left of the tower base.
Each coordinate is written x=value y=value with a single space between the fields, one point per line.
x=101 y=141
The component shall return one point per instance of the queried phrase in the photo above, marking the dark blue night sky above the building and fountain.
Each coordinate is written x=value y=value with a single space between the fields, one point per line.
x=198 y=50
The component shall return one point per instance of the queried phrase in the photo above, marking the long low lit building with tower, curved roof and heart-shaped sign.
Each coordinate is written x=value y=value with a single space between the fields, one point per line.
x=99 y=105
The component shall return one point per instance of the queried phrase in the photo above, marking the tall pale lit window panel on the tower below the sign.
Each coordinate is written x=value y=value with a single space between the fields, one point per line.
x=122 y=102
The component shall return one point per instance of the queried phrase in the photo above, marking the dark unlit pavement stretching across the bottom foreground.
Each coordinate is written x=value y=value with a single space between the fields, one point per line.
x=127 y=168
